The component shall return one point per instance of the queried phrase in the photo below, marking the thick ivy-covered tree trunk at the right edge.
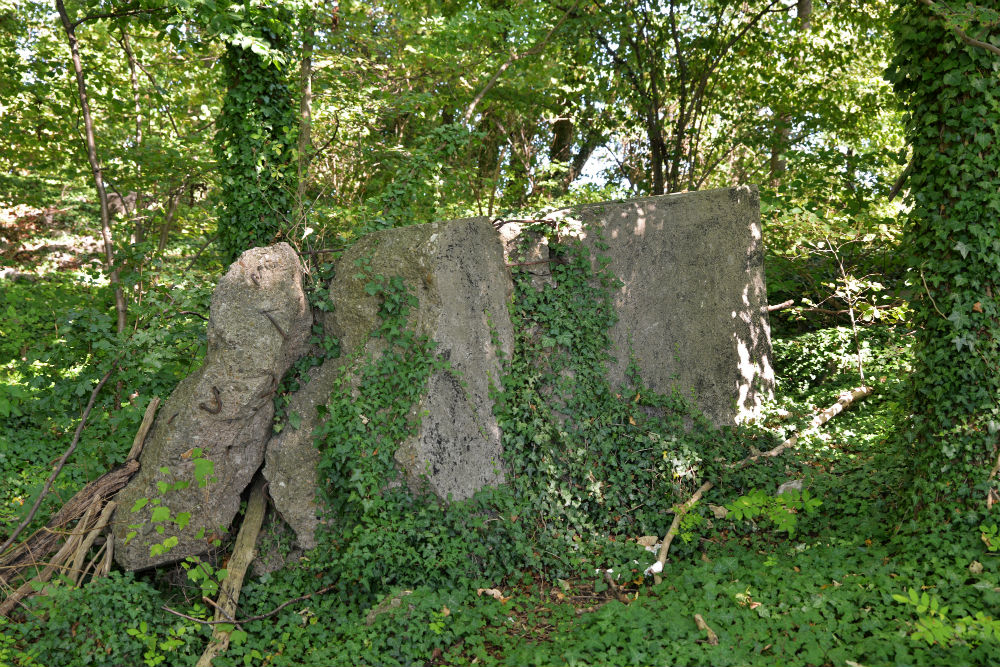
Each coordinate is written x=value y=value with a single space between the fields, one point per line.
x=948 y=76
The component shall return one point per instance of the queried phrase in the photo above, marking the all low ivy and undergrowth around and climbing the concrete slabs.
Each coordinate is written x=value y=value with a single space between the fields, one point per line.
x=516 y=575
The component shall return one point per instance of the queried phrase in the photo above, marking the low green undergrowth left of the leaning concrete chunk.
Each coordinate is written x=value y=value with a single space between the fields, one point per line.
x=65 y=342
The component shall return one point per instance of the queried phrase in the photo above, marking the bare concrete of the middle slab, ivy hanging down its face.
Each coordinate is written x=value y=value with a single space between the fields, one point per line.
x=456 y=270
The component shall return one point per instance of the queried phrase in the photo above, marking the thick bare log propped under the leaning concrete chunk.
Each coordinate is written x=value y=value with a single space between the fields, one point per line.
x=243 y=554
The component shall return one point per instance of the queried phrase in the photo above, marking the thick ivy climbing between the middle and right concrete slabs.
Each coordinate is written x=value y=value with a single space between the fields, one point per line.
x=590 y=458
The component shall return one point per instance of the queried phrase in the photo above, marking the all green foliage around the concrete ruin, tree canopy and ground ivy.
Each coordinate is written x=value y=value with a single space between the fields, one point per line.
x=589 y=467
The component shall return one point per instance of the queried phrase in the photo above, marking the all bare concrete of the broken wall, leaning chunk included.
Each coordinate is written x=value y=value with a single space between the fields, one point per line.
x=691 y=308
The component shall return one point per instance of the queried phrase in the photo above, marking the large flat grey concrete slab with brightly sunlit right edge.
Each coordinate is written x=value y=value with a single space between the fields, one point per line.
x=692 y=308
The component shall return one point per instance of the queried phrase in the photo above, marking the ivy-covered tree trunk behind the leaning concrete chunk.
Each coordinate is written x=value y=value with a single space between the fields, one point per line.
x=254 y=141
